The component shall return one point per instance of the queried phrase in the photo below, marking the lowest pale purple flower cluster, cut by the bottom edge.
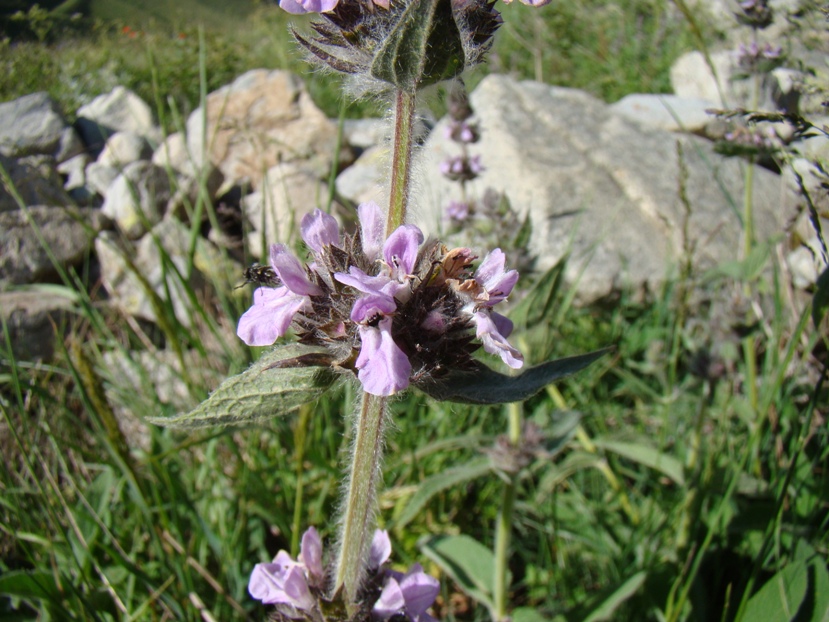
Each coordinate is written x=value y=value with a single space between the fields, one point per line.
x=296 y=588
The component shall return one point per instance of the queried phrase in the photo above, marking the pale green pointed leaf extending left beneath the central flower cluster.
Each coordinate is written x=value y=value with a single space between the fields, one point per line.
x=282 y=380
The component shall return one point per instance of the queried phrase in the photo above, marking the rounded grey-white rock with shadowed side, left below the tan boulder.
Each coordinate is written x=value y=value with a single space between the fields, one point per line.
x=138 y=198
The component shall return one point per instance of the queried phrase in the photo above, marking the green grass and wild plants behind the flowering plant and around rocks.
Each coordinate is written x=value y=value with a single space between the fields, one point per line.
x=696 y=474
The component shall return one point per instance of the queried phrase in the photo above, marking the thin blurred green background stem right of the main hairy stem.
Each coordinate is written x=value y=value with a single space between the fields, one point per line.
x=503 y=524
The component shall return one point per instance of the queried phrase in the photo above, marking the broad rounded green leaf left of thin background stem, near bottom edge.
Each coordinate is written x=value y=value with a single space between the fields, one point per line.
x=470 y=564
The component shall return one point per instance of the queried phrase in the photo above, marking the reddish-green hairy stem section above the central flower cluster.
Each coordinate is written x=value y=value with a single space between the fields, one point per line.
x=401 y=160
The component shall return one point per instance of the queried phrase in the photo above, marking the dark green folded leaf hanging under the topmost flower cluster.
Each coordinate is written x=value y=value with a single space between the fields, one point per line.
x=423 y=48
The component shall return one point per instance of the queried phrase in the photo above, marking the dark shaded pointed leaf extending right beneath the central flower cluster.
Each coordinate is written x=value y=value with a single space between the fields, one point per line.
x=485 y=386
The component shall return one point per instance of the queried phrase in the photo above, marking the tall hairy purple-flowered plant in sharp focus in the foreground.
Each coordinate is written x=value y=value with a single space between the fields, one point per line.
x=382 y=305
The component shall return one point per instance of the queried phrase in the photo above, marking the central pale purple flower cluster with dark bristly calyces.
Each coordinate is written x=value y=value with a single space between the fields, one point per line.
x=394 y=310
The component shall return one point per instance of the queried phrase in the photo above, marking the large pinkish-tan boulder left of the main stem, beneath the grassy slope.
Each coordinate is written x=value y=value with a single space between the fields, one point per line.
x=262 y=119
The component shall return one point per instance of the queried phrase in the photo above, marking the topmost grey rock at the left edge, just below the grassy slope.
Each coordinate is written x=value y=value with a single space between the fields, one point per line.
x=30 y=125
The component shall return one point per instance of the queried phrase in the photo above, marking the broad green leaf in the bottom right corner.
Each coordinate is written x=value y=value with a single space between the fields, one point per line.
x=780 y=599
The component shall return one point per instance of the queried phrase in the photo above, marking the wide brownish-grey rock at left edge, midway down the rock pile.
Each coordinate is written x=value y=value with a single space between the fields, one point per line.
x=67 y=232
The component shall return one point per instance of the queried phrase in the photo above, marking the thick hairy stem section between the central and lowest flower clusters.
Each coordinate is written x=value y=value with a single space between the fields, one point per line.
x=358 y=512
